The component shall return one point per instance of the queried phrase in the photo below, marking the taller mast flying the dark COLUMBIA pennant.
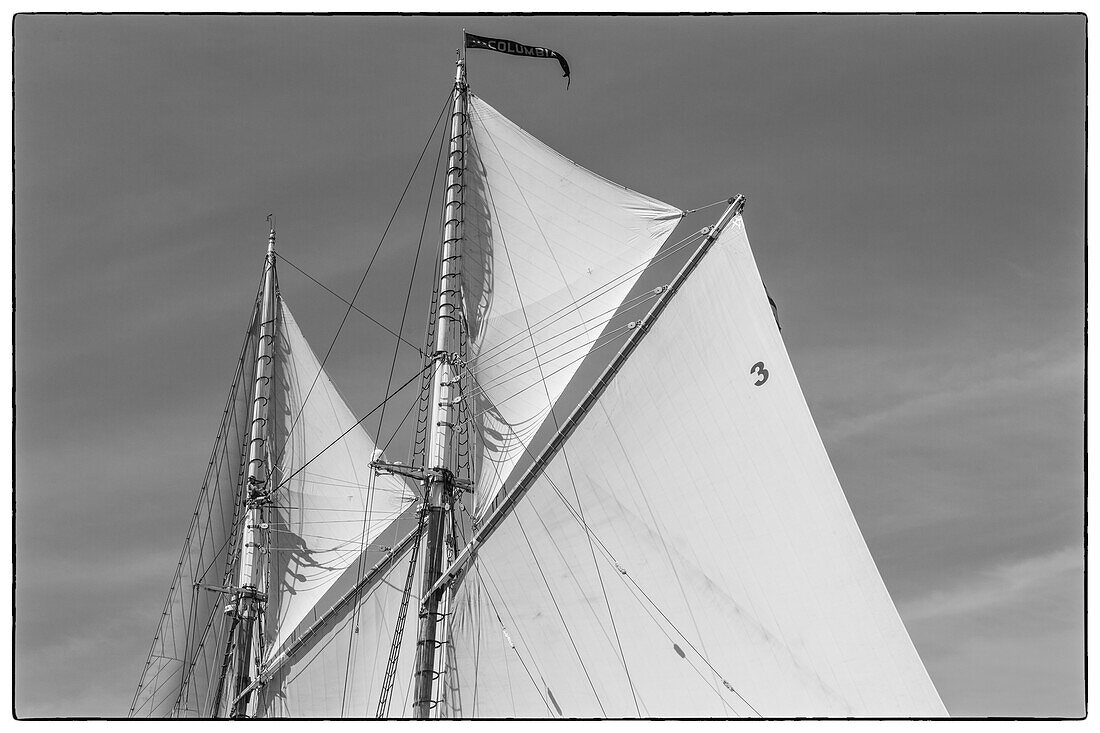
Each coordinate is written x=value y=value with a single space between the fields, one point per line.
x=439 y=483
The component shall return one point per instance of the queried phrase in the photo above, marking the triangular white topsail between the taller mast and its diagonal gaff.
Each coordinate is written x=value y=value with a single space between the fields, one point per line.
x=551 y=250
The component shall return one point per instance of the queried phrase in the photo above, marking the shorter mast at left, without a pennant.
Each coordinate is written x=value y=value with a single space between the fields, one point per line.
x=250 y=592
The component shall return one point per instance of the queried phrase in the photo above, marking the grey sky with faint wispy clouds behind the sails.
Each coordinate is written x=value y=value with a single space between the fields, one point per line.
x=916 y=203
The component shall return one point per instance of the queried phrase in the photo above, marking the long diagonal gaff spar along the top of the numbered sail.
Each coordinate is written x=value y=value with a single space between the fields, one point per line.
x=500 y=507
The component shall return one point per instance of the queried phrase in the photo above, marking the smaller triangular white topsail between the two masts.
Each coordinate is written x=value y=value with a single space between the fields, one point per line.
x=331 y=506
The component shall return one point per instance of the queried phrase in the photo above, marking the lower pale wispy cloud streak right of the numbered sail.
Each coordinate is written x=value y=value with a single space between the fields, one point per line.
x=996 y=587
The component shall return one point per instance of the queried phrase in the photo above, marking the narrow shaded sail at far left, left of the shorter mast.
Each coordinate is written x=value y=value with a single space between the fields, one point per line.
x=182 y=673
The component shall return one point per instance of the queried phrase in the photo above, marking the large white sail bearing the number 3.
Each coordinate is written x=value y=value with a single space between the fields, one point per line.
x=690 y=552
